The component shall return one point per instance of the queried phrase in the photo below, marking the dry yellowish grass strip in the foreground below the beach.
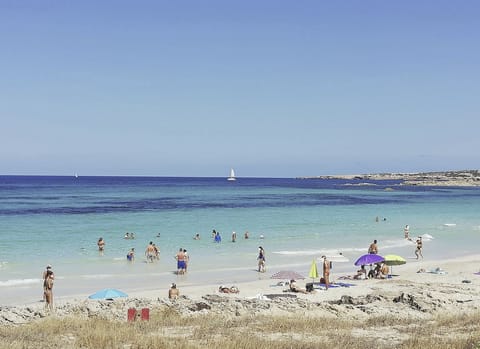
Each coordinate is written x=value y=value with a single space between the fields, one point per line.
x=167 y=329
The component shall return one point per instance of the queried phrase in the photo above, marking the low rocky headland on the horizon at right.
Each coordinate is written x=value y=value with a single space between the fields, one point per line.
x=463 y=178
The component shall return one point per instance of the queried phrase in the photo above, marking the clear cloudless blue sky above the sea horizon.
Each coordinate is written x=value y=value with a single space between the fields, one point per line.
x=272 y=88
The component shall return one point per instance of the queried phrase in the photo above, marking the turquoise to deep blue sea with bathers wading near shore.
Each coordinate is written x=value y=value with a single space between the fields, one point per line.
x=58 y=220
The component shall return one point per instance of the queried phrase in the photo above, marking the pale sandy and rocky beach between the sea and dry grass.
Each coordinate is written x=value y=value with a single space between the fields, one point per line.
x=418 y=295
